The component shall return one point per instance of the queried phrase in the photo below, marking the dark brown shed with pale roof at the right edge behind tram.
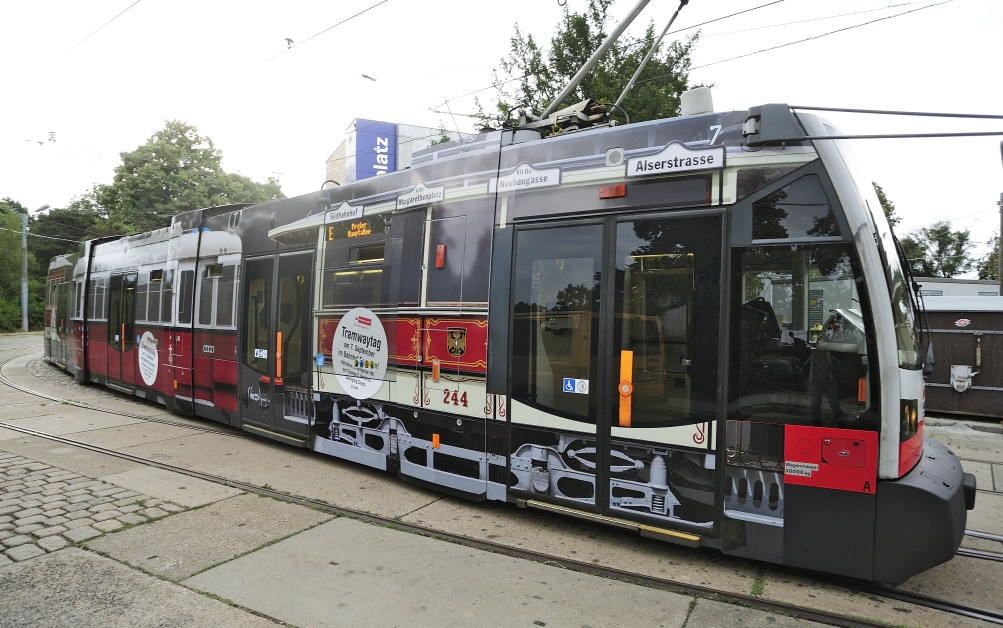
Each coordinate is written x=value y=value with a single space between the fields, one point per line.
x=968 y=349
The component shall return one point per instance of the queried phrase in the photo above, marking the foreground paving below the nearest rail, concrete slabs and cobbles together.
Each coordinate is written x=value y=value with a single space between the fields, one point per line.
x=87 y=552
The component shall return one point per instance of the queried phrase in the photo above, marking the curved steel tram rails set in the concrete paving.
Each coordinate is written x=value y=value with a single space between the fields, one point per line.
x=674 y=586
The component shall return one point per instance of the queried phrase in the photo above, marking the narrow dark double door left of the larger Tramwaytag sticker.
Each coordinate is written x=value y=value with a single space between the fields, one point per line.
x=275 y=346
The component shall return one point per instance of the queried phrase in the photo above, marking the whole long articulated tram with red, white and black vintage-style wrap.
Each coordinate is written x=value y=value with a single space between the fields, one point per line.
x=697 y=329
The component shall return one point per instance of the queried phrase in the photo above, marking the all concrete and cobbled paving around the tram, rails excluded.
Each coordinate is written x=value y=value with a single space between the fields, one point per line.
x=164 y=549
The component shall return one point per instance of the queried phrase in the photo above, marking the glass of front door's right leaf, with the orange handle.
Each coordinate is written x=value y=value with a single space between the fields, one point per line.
x=666 y=324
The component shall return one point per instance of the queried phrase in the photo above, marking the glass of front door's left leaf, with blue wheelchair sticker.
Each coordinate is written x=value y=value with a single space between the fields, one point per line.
x=556 y=321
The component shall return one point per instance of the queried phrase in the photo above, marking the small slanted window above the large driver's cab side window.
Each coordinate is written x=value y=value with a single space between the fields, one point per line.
x=797 y=211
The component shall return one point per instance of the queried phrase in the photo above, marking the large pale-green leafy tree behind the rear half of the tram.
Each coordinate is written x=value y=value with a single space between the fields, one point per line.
x=176 y=171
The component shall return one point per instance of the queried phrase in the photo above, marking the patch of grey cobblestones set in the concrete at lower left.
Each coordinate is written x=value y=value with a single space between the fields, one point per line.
x=45 y=509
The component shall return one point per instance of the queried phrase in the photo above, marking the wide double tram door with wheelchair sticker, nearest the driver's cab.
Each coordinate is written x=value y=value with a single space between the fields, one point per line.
x=616 y=327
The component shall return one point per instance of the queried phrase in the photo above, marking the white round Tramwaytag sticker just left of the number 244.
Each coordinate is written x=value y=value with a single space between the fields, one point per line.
x=360 y=354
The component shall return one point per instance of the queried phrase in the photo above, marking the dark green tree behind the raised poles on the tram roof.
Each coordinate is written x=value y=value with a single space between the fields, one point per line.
x=530 y=78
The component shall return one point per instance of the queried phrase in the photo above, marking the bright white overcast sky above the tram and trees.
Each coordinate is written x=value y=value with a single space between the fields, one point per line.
x=225 y=68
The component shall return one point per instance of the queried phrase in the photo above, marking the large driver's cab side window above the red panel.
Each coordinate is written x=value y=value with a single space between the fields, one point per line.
x=800 y=338
